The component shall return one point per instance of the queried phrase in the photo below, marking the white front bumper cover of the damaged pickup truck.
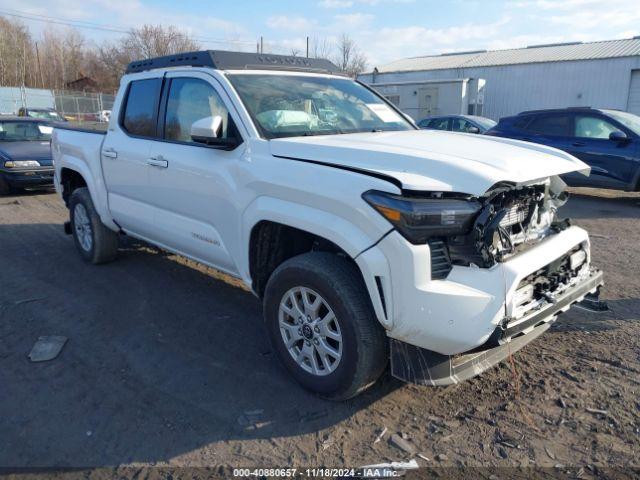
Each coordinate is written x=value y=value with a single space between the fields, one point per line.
x=460 y=313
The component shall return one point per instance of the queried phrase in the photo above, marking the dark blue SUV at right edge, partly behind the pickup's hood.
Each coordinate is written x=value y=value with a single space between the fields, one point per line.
x=607 y=140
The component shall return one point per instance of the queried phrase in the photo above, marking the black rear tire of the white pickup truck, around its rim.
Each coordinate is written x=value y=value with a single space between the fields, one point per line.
x=104 y=242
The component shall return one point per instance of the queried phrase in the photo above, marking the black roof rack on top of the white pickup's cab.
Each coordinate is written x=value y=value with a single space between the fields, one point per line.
x=225 y=60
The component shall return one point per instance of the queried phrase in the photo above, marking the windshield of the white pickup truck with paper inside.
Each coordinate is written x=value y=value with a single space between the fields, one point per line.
x=298 y=105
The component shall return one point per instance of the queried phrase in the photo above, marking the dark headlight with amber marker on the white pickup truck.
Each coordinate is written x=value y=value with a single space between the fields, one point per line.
x=418 y=219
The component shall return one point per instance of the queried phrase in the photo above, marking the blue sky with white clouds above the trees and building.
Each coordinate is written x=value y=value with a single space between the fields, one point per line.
x=385 y=30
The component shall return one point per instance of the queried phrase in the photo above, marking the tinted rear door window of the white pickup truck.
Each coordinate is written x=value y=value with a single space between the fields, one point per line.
x=141 y=110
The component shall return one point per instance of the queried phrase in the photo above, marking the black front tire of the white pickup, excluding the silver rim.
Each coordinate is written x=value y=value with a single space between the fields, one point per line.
x=365 y=347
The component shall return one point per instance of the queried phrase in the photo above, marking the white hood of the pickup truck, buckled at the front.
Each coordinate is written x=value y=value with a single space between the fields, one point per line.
x=431 y=160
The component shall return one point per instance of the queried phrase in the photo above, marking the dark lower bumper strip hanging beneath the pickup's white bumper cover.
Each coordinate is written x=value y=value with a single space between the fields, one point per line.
x=424 y=367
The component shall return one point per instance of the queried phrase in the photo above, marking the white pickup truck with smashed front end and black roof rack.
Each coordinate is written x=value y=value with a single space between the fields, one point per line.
x=367 y=239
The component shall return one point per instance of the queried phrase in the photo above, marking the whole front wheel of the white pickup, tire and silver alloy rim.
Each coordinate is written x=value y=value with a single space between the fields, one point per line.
x=322 y=325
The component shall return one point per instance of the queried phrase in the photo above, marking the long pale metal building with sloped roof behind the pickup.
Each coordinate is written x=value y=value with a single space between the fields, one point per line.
x=504 y=82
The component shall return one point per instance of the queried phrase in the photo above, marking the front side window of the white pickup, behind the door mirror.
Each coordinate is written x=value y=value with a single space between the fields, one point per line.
x=192 y=99
